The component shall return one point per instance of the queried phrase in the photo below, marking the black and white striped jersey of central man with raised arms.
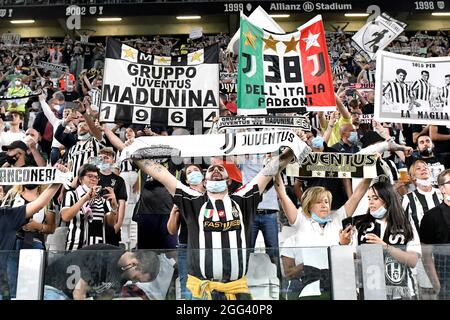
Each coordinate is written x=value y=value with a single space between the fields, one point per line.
x=214 y=225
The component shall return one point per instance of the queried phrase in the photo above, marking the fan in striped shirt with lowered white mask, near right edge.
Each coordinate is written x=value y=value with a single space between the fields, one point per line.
x=415 y=204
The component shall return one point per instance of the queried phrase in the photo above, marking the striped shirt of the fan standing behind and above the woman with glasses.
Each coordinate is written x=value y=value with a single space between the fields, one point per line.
x=82 y=151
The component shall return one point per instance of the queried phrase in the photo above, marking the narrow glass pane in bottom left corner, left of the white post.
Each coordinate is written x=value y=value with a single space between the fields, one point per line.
x=9 y=261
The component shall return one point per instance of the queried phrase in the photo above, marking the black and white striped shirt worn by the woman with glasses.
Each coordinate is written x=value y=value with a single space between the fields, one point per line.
x=82 y=230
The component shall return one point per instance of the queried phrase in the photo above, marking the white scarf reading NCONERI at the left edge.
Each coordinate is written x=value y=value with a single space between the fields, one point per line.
x=33 y=175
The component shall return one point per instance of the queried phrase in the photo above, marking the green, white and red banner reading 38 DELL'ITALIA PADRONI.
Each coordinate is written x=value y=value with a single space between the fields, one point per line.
x=284 y=73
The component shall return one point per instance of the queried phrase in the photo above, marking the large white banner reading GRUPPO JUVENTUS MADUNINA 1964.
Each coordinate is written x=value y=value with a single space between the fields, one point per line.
x=170 y=91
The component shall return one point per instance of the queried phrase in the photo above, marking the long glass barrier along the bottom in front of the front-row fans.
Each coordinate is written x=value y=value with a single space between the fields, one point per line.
x=295 y=274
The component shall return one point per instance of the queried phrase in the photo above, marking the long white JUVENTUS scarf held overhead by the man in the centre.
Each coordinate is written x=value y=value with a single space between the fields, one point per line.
x=209 y=145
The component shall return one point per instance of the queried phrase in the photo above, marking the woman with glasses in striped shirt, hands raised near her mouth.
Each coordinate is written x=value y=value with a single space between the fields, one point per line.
x=87 y=208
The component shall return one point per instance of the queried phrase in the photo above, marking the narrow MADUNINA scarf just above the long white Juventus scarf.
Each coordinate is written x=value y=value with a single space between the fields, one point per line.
x=243 y=122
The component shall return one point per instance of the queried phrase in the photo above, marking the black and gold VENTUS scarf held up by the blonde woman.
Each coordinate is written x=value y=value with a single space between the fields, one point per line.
x=335 y=165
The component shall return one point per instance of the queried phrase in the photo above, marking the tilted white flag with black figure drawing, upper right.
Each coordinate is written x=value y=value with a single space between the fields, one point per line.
x=376 y=35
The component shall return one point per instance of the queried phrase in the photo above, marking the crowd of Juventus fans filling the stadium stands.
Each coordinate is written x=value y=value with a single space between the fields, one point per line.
x=49 y=117
